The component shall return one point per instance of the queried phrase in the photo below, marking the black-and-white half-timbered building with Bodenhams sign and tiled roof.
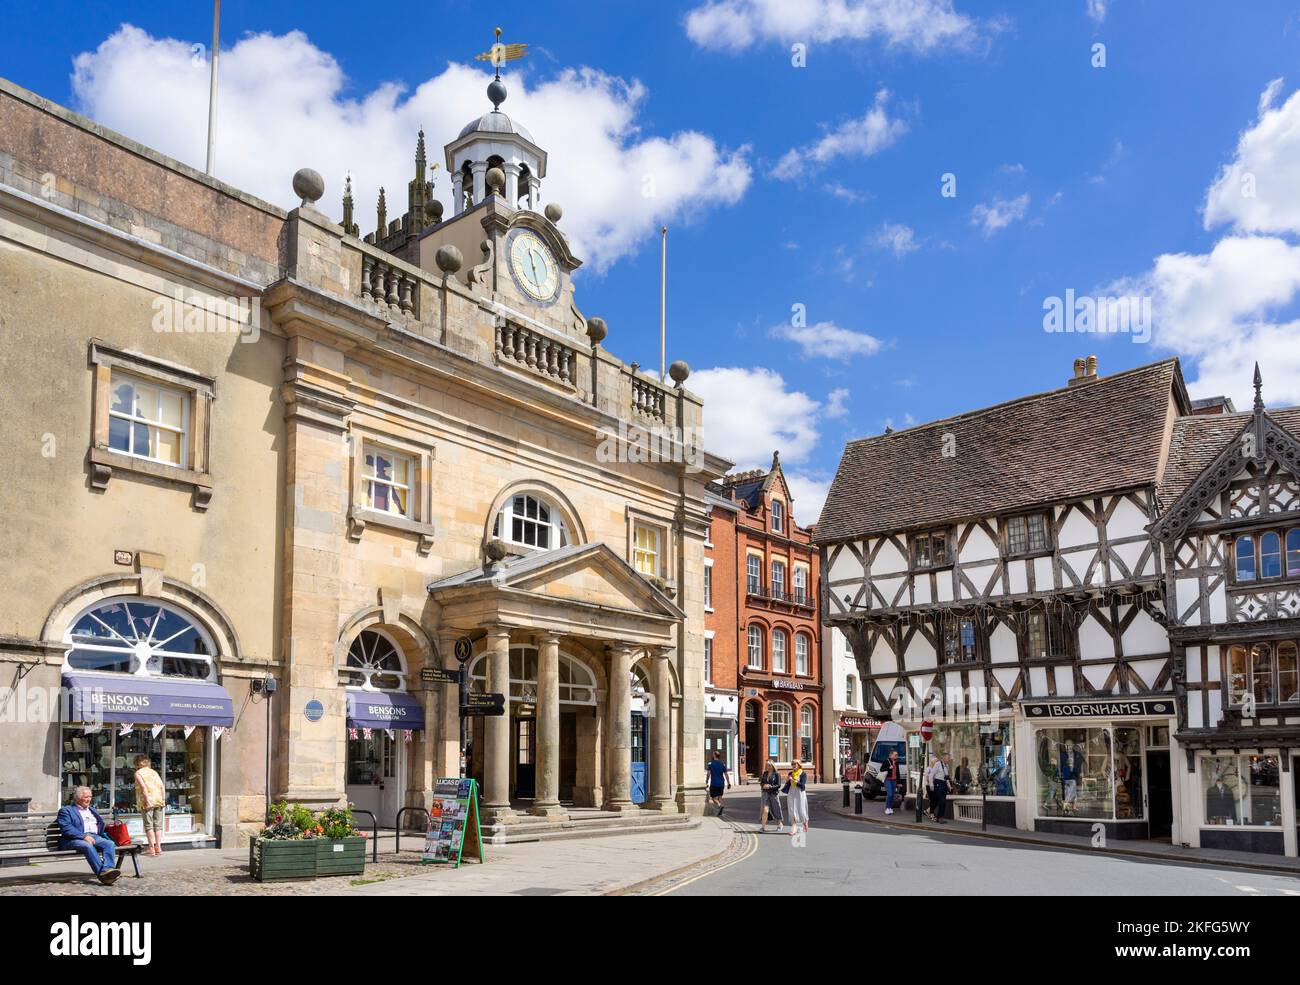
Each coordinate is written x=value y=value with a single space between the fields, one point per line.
x=995 y=572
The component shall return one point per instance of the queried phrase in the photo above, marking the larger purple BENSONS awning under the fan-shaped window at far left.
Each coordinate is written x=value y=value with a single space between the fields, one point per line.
x=157 y=701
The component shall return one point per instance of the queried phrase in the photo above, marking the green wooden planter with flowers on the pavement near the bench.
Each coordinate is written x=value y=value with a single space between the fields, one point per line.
x=301 y=845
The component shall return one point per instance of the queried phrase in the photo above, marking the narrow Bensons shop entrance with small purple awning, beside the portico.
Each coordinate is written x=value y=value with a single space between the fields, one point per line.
x=382 y=727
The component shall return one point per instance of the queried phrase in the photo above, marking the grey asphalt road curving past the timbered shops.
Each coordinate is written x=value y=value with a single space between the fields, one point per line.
x=850 y=858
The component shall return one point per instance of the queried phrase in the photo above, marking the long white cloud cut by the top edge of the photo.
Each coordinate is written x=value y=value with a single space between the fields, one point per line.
x=921 y=25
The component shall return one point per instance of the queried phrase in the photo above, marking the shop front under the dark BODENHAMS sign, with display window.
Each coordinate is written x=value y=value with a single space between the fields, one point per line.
x=1107 y=762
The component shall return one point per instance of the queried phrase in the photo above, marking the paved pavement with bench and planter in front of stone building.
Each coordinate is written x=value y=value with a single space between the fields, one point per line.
x=580 y=867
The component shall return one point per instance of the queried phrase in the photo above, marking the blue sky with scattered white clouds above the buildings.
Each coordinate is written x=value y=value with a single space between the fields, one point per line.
x=814 y=189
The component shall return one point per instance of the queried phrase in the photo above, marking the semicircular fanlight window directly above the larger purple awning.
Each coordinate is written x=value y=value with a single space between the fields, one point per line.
x=142 y=637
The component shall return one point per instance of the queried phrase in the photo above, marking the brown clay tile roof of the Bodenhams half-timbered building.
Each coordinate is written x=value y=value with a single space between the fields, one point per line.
x=1103 y=436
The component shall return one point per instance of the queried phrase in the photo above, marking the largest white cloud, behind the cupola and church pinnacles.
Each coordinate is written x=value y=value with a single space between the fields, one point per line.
x=285 y=105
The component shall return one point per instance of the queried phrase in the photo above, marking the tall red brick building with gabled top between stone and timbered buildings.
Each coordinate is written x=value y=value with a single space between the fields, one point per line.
x=762 y=630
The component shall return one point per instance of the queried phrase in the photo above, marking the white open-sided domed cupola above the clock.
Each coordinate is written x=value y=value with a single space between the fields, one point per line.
x=496 y=141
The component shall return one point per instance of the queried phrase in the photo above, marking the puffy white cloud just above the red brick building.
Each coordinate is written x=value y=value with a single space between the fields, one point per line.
x=749 y=414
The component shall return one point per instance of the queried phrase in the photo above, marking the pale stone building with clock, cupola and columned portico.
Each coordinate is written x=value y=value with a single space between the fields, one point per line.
x=271 y=474
